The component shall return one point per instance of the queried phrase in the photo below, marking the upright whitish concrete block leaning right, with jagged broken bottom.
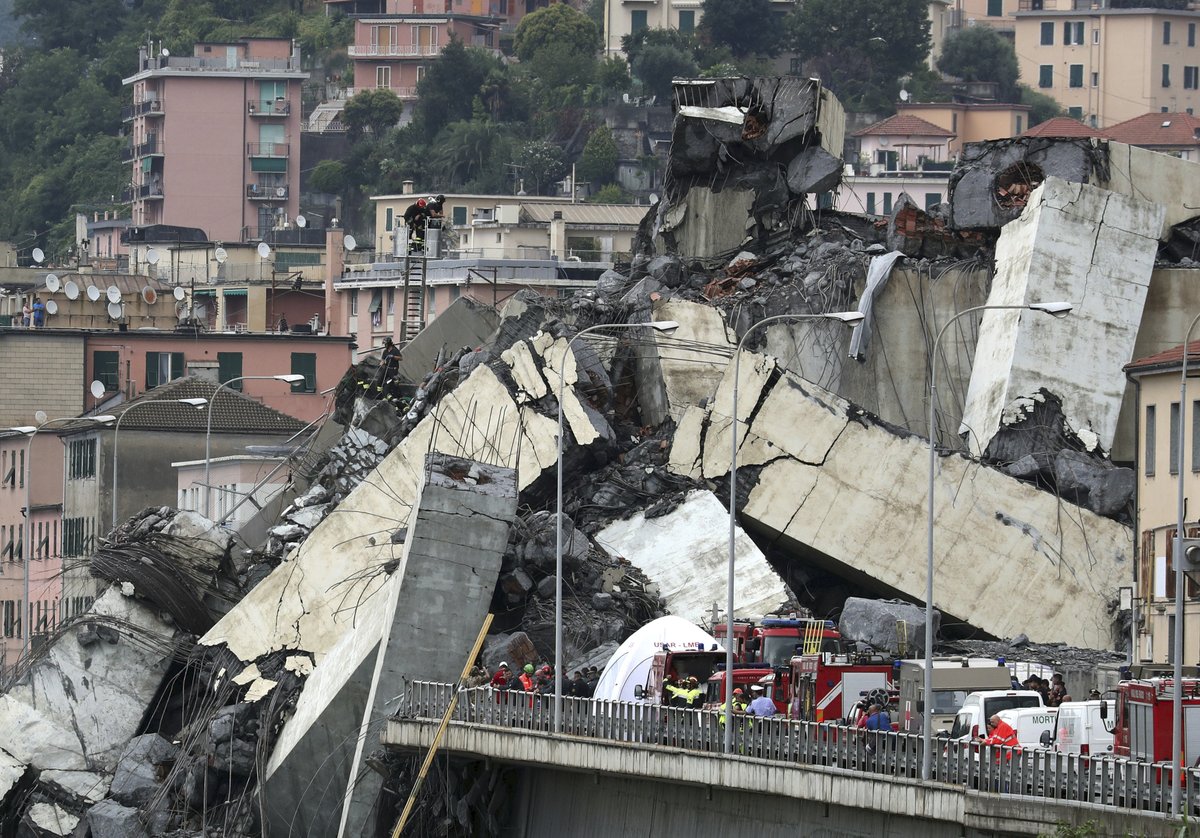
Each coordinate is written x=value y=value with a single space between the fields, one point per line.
x=1084 y=246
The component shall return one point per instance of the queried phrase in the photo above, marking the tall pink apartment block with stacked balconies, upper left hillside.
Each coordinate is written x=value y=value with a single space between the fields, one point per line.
x=214 y=139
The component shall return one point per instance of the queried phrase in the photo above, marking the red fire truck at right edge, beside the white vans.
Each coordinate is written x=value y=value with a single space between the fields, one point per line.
x=1144 y=729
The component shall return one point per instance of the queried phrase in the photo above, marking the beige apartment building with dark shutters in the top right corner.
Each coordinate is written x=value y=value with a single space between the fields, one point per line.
x=1108 y=65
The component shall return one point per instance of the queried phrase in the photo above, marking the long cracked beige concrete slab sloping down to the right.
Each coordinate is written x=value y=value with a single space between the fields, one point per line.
x=853 y=496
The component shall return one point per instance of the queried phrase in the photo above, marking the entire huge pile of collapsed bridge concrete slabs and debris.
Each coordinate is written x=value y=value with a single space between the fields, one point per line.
x=251 y=702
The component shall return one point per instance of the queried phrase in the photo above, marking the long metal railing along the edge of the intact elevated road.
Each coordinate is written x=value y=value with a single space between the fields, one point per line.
x=1039 y=773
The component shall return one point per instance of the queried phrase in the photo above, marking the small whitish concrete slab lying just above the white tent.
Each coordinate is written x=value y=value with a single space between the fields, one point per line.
x=687 y=554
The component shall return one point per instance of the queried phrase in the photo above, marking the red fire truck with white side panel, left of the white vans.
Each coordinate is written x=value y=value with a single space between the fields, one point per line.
x=825 y=687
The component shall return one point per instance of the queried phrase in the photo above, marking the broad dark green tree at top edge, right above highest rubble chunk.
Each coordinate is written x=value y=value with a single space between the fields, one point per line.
x=861 y=49
